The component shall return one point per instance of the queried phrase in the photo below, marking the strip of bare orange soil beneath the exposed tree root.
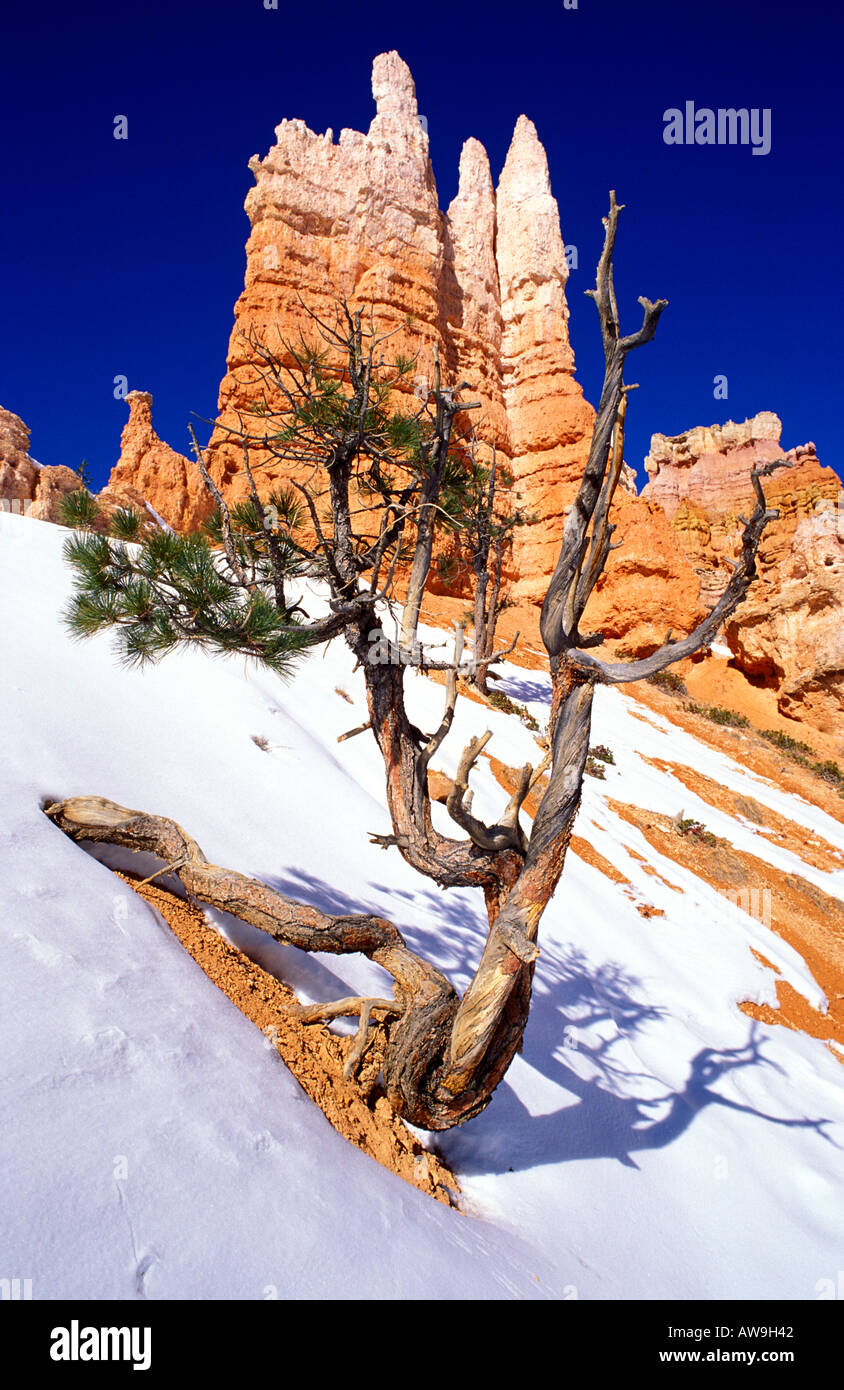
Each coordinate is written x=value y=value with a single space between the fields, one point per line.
x=318 y=1058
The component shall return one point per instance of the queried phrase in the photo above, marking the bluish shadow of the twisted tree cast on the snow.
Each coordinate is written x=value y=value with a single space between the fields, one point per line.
x=582 y=1017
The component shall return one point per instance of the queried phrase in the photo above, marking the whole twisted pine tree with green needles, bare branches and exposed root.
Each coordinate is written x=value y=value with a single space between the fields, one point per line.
x=372 y=496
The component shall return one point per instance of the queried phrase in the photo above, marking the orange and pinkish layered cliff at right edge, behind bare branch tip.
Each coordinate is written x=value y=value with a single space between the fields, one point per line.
x=789 y=633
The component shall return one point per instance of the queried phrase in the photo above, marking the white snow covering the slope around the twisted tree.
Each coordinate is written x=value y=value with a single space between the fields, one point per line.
x=650 y=1143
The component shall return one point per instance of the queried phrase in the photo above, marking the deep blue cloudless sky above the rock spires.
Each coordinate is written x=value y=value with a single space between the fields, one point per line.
x=127 y=256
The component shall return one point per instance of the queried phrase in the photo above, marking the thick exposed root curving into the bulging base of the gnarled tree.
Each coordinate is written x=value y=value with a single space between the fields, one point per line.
x=443 y=1056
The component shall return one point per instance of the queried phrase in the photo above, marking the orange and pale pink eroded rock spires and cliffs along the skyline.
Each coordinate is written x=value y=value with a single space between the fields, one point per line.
x=486 y=283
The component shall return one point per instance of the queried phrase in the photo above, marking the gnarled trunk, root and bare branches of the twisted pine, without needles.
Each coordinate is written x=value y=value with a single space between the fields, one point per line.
x=446 y=1056
